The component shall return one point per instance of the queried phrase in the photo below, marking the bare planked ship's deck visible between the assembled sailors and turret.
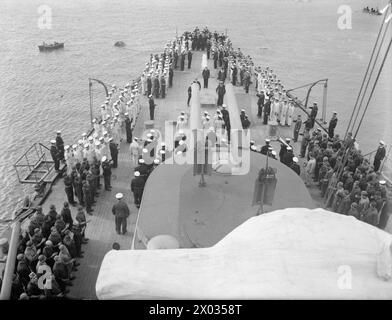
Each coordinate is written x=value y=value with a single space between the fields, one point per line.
x=101 y=228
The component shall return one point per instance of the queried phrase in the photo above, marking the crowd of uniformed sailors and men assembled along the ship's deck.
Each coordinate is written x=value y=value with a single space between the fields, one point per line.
x=347 y=180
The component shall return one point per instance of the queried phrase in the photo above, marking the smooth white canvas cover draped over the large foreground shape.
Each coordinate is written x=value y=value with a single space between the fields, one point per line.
x=286 y=254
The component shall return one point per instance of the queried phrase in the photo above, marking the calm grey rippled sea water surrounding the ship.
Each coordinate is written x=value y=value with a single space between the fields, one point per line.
x=44 y=92
